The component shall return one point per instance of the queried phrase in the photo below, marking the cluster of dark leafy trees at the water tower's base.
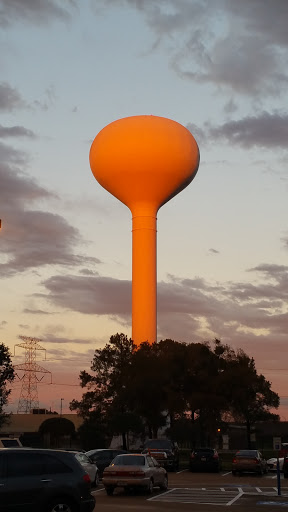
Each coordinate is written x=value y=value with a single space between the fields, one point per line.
x=191 y=388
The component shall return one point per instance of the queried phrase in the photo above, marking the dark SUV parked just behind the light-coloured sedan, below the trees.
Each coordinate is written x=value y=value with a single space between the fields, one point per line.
x=165 y=451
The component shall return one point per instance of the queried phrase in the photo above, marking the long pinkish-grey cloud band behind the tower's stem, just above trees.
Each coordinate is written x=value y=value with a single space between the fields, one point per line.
x=189 y=304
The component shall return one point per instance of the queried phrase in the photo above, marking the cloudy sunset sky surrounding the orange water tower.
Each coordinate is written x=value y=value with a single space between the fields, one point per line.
x=67 y=69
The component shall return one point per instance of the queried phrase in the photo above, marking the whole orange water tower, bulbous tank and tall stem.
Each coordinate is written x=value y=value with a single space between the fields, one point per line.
x=144 y=161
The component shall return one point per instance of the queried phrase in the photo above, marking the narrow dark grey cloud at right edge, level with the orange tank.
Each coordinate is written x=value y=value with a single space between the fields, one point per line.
x=265 y=130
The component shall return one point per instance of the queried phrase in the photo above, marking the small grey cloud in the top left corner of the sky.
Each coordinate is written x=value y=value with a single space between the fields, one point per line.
x=41 y=11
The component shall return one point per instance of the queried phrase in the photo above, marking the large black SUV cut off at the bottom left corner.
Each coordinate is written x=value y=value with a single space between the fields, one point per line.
x=43 y=480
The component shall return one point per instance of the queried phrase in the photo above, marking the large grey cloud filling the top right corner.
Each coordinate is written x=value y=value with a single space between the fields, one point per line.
x=238 y=46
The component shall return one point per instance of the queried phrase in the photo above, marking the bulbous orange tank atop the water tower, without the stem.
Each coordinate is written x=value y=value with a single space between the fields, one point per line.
x=144 y=160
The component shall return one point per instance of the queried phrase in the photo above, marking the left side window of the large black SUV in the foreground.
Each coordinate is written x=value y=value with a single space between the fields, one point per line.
x=23 y=464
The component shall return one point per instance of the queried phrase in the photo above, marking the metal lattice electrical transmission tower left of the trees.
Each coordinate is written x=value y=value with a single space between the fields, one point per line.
x=29 y=393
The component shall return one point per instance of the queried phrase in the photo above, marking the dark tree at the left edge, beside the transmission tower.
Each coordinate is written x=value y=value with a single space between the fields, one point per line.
x=6 y=377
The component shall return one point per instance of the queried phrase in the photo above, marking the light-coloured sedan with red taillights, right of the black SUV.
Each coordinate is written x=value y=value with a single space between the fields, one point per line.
x=134 y=471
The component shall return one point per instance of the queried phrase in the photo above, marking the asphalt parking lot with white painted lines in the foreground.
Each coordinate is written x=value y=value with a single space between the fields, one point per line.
x=202 y=491
